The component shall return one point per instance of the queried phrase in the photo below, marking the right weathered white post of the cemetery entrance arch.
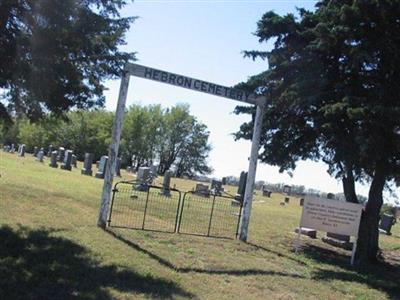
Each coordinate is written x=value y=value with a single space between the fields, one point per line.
x=248 y=194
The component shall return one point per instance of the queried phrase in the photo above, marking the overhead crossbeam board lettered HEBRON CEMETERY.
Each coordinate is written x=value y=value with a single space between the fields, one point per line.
x=190 y=83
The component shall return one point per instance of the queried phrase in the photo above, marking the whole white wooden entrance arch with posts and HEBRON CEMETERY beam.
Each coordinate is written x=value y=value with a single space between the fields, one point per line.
x=192 y=84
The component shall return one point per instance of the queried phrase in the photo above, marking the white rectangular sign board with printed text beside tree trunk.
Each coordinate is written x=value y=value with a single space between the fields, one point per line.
x=331 y=216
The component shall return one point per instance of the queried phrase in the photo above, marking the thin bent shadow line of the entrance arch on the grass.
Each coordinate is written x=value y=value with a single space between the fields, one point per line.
x=168 y=264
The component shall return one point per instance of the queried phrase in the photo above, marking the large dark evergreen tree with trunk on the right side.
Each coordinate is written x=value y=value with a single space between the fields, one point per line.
x=333 y=95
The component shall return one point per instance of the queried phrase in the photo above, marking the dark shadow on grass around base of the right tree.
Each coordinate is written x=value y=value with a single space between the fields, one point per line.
x=381 y=276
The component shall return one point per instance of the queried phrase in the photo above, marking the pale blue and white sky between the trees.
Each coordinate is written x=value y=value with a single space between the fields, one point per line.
x=205 y=40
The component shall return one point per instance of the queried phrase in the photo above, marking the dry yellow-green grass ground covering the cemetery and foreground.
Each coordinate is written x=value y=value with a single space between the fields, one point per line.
x=50 y=248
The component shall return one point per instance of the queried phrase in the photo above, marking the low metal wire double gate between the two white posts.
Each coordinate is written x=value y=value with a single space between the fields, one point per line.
x=152 y=208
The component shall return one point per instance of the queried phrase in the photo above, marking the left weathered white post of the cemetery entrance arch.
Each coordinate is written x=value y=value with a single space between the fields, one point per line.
x=113 y=150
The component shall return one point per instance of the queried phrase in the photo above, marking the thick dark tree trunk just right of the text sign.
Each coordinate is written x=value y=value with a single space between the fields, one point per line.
x=368 y=235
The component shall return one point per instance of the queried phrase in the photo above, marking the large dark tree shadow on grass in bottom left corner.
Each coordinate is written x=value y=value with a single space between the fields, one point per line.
x=36 y=265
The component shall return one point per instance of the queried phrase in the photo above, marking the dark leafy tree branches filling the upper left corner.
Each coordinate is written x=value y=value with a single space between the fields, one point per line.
x=54 y=55
